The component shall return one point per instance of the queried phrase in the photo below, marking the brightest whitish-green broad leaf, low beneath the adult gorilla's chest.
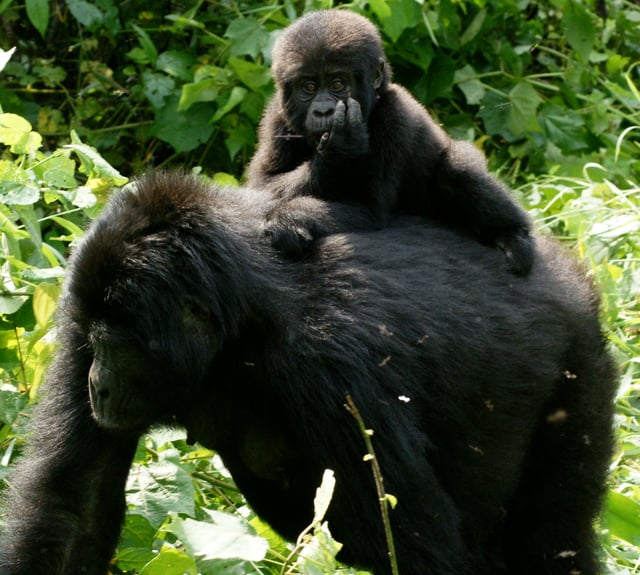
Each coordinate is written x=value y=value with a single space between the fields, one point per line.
x=226 y=537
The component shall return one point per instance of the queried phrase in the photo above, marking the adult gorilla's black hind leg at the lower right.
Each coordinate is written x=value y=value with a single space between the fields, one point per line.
x=549 y=528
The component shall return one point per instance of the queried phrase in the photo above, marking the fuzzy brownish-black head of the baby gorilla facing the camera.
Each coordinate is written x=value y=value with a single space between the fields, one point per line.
x=323 y=58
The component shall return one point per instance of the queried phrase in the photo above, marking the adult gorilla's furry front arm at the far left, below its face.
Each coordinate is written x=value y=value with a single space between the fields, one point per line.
x=66 y=502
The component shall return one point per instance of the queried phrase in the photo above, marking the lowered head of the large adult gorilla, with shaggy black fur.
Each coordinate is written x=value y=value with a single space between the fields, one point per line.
x=140 y=297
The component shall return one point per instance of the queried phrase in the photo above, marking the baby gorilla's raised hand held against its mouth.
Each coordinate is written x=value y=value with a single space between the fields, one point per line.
x=348 y=136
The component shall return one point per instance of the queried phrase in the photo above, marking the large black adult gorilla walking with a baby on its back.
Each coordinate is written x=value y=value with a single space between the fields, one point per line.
x=176 y=312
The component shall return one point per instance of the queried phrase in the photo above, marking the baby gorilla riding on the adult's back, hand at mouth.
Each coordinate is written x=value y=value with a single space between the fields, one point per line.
x=339 y=129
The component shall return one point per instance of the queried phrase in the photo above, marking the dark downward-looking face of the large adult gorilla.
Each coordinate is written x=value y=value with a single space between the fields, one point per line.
x=139 y=363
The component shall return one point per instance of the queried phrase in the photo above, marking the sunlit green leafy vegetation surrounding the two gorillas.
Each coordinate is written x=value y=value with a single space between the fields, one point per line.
x=92 y=93
